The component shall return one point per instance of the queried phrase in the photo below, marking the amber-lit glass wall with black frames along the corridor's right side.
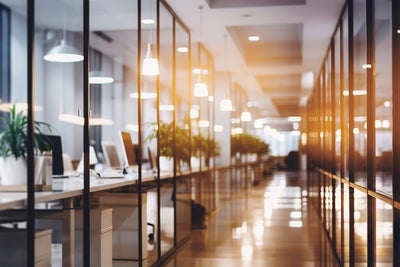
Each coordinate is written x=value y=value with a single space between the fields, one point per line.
x=364 y=153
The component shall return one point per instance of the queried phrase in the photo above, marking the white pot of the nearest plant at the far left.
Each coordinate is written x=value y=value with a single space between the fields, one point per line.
x=13 y=171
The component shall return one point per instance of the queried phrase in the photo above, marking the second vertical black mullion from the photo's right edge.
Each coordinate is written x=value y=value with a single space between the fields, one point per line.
x=371 y=138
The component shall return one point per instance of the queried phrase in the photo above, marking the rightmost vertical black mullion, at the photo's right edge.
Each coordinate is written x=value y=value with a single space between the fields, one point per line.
x=396 y=128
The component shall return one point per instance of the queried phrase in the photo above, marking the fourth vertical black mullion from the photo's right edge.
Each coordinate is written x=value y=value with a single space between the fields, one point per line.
x=342 y=144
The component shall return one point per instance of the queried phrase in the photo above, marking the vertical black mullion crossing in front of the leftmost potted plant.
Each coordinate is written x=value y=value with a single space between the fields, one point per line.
x=30 y=141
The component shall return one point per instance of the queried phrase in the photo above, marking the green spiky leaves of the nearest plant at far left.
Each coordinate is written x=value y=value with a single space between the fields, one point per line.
x=14 y=134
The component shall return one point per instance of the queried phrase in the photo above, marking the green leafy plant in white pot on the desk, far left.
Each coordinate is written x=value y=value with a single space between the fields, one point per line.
x=13 y=145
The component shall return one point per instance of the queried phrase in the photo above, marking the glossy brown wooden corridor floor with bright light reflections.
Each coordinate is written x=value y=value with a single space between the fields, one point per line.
x=265 y=225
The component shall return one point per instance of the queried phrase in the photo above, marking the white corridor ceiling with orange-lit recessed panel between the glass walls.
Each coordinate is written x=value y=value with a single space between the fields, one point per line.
x=295 y=35
